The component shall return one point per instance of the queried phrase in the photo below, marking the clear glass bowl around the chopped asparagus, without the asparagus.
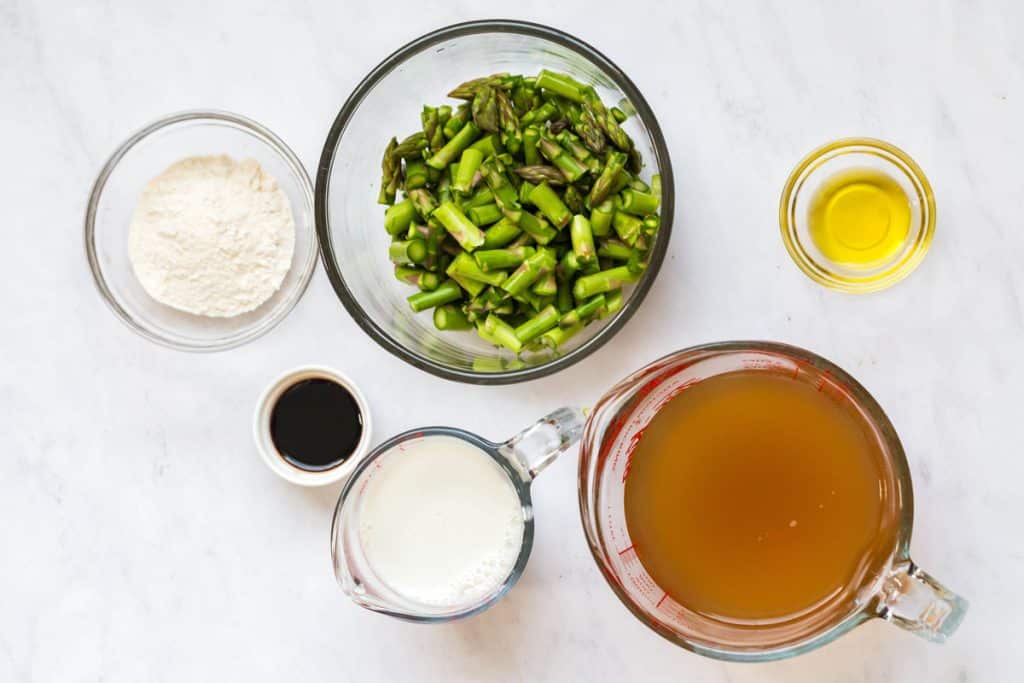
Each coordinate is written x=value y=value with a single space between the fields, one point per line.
x=388 y=103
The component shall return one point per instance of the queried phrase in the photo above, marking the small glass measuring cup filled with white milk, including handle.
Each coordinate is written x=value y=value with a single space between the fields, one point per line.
x=437 y=524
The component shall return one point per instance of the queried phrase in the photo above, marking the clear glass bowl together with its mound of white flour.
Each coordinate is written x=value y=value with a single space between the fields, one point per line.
x=200 y=231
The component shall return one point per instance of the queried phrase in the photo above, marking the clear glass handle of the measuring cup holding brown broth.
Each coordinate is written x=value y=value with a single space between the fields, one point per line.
x=913 y=601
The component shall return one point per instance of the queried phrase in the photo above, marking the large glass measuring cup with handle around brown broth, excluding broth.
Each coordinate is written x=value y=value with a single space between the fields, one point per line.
x=899 y=591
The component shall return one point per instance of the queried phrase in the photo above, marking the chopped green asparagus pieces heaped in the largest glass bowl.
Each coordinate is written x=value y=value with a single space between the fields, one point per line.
x=525 y=158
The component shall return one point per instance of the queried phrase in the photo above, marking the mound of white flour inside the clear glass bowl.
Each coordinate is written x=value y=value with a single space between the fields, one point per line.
x=212 y=237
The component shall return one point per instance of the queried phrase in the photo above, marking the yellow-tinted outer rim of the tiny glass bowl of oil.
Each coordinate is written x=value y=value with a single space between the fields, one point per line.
x=902 y=269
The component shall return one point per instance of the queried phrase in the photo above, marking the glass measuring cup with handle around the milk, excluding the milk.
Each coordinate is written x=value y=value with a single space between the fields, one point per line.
x=521 y=458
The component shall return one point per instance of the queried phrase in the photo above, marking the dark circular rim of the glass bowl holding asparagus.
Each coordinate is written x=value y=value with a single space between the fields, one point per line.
x=353 y=105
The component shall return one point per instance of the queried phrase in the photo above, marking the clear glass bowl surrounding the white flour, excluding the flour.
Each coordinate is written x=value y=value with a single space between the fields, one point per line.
x=146 y=155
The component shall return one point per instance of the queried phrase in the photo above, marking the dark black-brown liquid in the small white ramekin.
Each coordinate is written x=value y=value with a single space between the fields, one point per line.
x=316 y=424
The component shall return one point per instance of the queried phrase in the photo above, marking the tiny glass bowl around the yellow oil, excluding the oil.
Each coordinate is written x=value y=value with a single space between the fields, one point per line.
x=824 y=164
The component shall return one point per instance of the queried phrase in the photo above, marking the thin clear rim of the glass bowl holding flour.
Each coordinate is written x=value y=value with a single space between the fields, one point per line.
x=267 y=137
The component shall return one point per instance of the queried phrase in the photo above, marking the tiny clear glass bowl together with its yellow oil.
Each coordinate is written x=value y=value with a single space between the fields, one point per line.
x=858 y=216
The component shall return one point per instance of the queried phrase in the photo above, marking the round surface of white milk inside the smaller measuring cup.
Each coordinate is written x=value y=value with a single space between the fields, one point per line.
x=441 y=523
